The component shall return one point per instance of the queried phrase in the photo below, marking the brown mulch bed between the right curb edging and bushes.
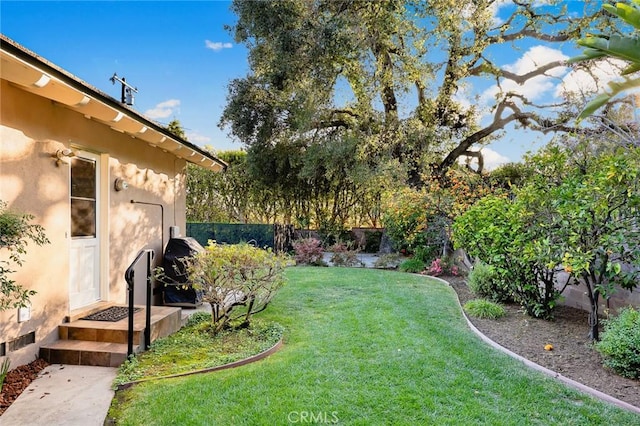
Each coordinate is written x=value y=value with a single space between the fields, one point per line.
x=572 y=354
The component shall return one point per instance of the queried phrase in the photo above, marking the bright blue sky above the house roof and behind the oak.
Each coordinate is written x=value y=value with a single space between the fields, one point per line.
x=177 y=53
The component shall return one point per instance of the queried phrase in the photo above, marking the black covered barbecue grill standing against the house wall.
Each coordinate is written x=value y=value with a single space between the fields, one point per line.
x=174 y=268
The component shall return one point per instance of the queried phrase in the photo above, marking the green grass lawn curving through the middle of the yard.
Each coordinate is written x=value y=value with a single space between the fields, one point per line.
x=368 y=347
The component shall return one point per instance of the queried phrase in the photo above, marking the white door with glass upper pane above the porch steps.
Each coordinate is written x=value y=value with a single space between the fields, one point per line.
x=84 y=283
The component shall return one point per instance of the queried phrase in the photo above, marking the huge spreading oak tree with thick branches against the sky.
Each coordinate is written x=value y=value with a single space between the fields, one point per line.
x=388 y=73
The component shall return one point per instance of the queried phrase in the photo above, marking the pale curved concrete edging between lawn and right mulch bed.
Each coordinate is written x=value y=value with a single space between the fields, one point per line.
x=567 y=381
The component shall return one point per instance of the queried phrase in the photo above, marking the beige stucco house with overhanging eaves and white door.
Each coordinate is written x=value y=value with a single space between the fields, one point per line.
x=103 y=180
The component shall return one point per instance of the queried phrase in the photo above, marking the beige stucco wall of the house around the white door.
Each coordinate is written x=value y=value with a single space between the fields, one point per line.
x=31 y=130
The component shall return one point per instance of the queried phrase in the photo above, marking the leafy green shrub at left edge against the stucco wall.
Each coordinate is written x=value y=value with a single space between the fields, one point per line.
x=16 y=230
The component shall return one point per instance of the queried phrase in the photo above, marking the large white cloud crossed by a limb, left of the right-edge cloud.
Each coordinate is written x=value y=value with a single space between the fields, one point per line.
x=537 y=87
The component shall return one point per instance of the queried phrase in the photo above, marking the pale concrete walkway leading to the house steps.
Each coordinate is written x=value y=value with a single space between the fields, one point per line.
x=64 y=395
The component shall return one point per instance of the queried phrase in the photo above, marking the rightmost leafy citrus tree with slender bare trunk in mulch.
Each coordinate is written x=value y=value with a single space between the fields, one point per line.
x=598 y=213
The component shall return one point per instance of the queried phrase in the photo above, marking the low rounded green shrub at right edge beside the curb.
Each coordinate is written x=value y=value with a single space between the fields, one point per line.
x=620 y=344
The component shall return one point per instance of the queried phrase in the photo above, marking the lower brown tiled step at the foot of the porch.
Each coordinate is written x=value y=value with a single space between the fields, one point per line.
x=81 y=352
